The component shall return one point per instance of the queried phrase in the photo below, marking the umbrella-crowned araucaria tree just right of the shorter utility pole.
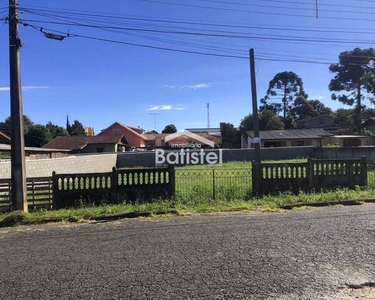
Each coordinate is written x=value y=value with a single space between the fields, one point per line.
x=285 y=86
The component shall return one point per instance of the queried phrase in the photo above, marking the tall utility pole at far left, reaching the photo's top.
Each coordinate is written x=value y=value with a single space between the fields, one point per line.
x=19 y=189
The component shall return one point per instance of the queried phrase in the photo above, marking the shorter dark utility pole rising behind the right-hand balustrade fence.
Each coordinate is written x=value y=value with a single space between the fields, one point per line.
x=256 y=141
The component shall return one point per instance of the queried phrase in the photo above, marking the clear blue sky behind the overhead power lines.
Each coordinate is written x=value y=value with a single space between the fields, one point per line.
x=99 y=83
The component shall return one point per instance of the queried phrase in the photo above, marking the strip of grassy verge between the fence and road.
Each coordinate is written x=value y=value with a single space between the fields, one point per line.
x=266 y=204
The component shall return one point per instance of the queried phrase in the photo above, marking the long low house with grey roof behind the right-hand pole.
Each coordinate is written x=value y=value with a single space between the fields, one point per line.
x=287 y=138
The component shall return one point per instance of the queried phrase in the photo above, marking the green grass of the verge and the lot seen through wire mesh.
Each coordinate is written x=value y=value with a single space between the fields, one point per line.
x=195 y=194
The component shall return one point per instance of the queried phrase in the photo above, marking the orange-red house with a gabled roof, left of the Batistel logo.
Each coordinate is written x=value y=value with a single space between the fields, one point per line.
x=134 y=136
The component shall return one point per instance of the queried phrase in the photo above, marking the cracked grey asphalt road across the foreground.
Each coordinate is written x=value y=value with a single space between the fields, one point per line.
x=311 y=254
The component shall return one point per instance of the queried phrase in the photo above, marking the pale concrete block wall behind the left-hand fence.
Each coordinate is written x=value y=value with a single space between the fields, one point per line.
x=69 y=165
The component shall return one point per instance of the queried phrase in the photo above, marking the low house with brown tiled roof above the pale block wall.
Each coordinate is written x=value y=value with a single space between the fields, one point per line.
x=89 y=144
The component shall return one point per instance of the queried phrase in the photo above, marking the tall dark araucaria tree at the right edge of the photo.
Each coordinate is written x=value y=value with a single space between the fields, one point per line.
x=355 y=76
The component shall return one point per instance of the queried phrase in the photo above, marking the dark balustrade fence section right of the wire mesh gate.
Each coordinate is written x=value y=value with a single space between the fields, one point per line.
x=314 y=175
